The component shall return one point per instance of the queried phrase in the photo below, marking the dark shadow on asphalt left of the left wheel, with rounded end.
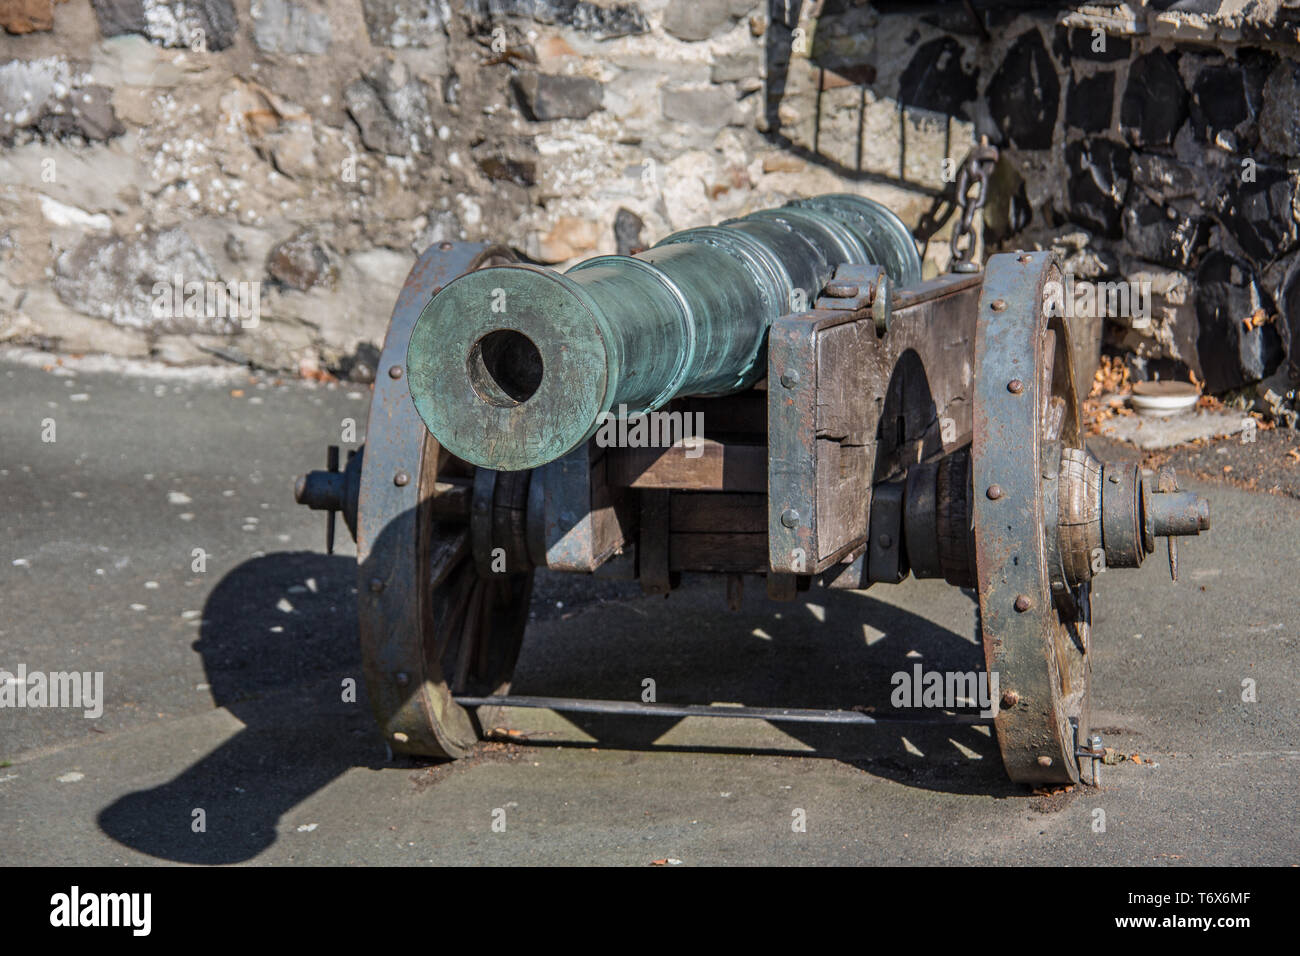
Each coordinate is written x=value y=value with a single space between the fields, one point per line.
x=279 y=639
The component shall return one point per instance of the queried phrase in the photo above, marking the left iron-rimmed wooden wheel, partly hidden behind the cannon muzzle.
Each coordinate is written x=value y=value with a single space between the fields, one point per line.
x=434 y=625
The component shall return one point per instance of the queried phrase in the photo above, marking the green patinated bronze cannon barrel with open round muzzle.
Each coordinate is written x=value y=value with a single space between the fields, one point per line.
x=513 y=367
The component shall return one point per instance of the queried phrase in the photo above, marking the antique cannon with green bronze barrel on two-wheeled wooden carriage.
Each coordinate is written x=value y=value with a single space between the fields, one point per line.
x=781 y=396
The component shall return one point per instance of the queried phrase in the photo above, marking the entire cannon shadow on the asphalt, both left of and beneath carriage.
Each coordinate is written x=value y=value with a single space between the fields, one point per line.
x=280 y=674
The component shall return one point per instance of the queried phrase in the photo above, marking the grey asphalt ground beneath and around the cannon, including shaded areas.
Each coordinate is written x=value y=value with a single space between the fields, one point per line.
x=222 y=686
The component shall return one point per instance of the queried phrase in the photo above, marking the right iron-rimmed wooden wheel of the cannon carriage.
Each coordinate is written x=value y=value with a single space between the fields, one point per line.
x=1035 y=625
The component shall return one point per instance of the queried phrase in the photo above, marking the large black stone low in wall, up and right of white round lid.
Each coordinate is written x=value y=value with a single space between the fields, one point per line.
x=1229 y=292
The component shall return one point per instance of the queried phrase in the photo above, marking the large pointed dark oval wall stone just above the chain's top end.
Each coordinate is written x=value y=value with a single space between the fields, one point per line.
x=1024 y=94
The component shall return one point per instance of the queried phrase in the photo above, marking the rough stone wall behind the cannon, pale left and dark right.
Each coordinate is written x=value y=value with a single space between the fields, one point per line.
x=317 y=146
